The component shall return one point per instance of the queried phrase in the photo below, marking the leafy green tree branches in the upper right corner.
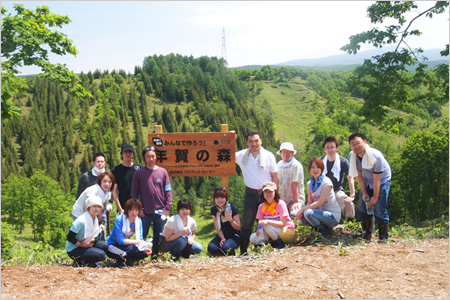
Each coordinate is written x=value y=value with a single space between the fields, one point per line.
x=385 y=80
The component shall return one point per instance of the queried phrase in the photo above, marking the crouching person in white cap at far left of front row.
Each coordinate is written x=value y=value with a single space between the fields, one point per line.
x=83 y=244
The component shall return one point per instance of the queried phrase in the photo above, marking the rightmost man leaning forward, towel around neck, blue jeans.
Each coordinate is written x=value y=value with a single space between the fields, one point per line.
x=373 y=173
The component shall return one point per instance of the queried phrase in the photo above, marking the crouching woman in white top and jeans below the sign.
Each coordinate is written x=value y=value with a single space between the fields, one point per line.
x=179 y=232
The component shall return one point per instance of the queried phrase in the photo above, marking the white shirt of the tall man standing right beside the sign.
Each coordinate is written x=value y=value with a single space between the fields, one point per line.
x=254 y=177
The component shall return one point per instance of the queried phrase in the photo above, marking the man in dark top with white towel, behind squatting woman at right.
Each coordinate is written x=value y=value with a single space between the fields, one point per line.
x=336 y=168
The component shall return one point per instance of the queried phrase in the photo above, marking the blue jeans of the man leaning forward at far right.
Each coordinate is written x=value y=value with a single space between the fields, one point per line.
x=380 y=209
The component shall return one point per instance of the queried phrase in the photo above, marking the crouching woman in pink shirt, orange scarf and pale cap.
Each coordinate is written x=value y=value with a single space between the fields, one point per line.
x=273 y=216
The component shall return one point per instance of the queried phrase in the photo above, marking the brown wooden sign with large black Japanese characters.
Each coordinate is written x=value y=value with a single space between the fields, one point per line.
x=195 y=154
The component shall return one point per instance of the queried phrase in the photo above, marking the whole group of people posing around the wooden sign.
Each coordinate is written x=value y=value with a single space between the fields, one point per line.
x=274 y=195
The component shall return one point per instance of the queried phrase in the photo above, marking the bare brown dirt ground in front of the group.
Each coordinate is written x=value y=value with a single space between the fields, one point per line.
x=403 y=269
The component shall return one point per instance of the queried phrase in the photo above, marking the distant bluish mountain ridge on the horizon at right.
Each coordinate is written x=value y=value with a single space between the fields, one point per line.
x=355 y=59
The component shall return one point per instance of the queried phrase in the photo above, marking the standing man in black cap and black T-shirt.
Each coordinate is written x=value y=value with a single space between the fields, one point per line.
x=123 y=174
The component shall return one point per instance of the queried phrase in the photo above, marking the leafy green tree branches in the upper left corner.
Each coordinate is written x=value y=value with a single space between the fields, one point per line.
x=25 y=39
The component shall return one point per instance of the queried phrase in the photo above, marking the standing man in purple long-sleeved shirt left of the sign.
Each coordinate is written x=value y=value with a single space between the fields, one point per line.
x=152 y=186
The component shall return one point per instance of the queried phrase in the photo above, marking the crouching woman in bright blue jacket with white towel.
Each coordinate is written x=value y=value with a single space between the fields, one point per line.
x=125 y=226
